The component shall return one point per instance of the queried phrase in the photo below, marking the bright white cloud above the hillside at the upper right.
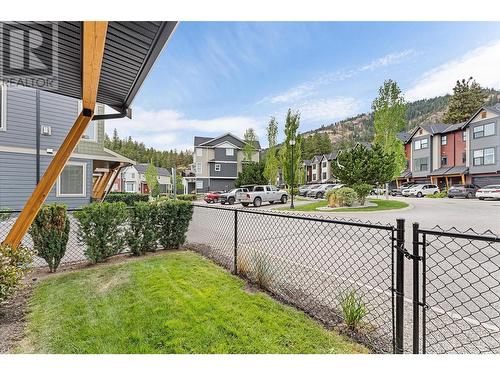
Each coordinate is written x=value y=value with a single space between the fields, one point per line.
x=481 y=63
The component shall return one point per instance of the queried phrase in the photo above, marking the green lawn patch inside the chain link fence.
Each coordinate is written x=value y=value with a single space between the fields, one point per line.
x=171 y=303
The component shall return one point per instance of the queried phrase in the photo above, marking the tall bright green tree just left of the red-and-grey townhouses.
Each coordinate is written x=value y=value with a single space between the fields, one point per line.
x=390 y=119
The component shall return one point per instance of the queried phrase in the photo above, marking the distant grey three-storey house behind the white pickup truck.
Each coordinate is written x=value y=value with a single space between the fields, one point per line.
x=217 y=161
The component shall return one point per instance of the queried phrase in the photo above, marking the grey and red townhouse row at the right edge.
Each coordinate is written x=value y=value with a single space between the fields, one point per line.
x=448 y=154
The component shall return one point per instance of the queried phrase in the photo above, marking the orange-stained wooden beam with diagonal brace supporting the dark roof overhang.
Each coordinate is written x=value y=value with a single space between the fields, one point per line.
x=94 y=37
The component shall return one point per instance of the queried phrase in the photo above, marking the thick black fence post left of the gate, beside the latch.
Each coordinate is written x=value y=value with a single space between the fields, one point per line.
x=400 y=242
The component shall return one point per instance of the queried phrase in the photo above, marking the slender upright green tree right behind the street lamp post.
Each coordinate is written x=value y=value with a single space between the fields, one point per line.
x=292 y=123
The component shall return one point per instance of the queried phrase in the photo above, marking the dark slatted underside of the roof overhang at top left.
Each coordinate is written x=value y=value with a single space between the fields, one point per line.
x=130 y=50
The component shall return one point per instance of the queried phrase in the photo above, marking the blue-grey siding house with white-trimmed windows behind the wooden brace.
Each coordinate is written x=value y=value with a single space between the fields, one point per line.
x=33 y=125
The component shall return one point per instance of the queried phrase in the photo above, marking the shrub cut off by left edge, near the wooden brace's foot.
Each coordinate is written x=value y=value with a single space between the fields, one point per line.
x=14 y=263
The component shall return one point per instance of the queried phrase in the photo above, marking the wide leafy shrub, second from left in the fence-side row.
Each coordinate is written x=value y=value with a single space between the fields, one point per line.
x=101 y=228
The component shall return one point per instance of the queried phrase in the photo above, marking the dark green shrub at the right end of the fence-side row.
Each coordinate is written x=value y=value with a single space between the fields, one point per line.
x=173 y=219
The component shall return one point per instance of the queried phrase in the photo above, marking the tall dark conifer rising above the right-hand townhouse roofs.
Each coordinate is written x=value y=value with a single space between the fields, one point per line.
x=467 y=97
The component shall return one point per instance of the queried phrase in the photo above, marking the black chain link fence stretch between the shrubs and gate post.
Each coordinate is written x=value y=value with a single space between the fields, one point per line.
x=305 y=261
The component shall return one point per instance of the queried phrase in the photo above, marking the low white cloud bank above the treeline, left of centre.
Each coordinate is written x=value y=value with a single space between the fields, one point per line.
x=167 y=129
